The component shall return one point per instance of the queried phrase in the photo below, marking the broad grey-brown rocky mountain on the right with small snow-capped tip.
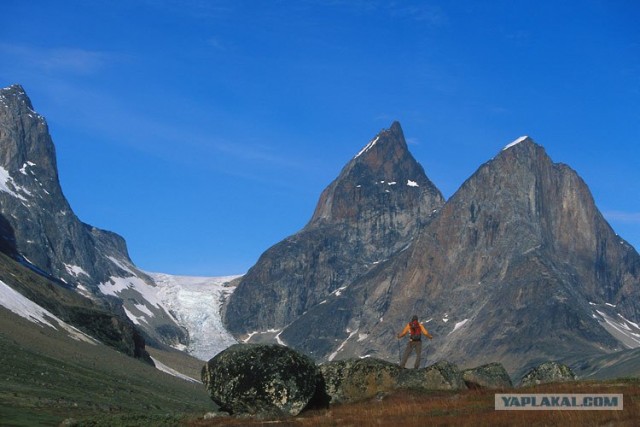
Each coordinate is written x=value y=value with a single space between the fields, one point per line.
x=518 y=265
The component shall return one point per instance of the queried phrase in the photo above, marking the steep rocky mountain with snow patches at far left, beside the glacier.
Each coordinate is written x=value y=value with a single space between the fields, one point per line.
x=39 y=229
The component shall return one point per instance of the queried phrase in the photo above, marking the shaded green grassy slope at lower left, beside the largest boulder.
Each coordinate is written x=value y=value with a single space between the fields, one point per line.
x=46 y=377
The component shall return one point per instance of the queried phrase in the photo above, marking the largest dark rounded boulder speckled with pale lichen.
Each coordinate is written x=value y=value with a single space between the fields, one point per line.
x=261 y=380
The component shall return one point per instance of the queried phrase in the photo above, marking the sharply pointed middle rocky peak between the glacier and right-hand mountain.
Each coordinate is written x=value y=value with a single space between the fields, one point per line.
x=371 y=212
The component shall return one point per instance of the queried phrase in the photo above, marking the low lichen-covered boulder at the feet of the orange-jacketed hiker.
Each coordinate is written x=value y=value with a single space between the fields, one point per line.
x=442 y=375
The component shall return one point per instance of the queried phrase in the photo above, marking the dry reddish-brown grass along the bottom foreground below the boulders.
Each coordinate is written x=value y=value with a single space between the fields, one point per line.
x=467 y=408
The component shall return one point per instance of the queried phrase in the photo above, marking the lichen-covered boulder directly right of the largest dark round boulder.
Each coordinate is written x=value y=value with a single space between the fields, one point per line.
x=351 y=380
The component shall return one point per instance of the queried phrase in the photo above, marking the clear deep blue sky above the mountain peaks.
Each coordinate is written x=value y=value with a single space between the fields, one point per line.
x=204 y=131
